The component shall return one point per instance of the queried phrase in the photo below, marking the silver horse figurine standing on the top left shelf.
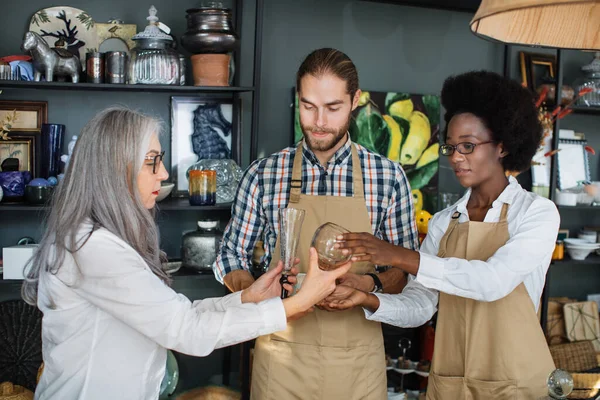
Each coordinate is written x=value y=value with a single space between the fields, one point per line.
x=50 y=61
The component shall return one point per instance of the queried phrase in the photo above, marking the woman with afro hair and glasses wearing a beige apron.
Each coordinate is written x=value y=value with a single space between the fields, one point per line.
x=486 y=256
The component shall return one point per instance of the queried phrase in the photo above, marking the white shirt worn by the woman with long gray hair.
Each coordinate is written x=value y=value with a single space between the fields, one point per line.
x=108 y=321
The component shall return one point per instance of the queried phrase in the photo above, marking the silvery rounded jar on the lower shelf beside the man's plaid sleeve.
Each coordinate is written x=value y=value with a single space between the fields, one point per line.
x=199 y=248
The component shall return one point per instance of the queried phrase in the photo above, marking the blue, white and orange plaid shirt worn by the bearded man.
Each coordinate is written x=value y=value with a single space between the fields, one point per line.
x=265 y=188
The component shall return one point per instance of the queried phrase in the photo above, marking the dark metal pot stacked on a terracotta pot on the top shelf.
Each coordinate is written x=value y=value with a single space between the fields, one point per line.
x=210 y=37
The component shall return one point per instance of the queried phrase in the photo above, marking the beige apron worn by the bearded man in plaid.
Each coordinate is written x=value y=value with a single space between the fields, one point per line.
x=324 y=355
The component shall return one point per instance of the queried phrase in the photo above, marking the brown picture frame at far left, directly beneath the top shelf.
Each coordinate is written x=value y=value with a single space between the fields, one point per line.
x=30 y=114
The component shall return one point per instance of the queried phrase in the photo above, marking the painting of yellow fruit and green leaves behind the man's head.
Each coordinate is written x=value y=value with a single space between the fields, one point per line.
x=403 y=127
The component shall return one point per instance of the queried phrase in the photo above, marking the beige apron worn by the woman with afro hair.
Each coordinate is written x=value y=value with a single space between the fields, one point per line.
x=486 y=350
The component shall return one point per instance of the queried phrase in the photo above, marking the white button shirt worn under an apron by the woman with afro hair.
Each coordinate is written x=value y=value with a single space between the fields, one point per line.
x=533 y=223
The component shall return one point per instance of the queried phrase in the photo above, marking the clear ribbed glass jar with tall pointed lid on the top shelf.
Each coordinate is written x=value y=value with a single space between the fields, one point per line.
x=153 y=61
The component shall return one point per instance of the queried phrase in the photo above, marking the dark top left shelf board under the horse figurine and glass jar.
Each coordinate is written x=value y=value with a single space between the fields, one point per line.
x=109 y=87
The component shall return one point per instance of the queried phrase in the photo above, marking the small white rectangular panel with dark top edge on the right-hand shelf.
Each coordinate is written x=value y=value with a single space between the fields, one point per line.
x=573 y=165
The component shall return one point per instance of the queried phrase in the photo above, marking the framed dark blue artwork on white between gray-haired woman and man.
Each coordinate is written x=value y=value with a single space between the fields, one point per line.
x=201 y=128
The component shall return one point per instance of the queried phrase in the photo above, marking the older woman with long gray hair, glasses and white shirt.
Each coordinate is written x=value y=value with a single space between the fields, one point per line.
x=109 y=313
